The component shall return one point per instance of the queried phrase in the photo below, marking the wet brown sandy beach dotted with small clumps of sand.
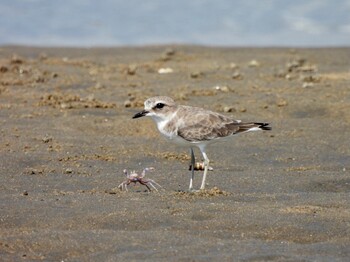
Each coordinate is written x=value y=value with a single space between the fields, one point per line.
x=66 y=135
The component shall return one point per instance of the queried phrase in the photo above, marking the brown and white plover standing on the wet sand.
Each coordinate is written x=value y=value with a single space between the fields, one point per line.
x=194 y=126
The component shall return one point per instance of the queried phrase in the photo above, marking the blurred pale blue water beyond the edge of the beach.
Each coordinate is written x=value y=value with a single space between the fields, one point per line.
x=89 y=23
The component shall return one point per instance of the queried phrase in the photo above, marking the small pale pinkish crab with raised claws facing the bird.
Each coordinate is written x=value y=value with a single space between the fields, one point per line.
x=133 y=177
